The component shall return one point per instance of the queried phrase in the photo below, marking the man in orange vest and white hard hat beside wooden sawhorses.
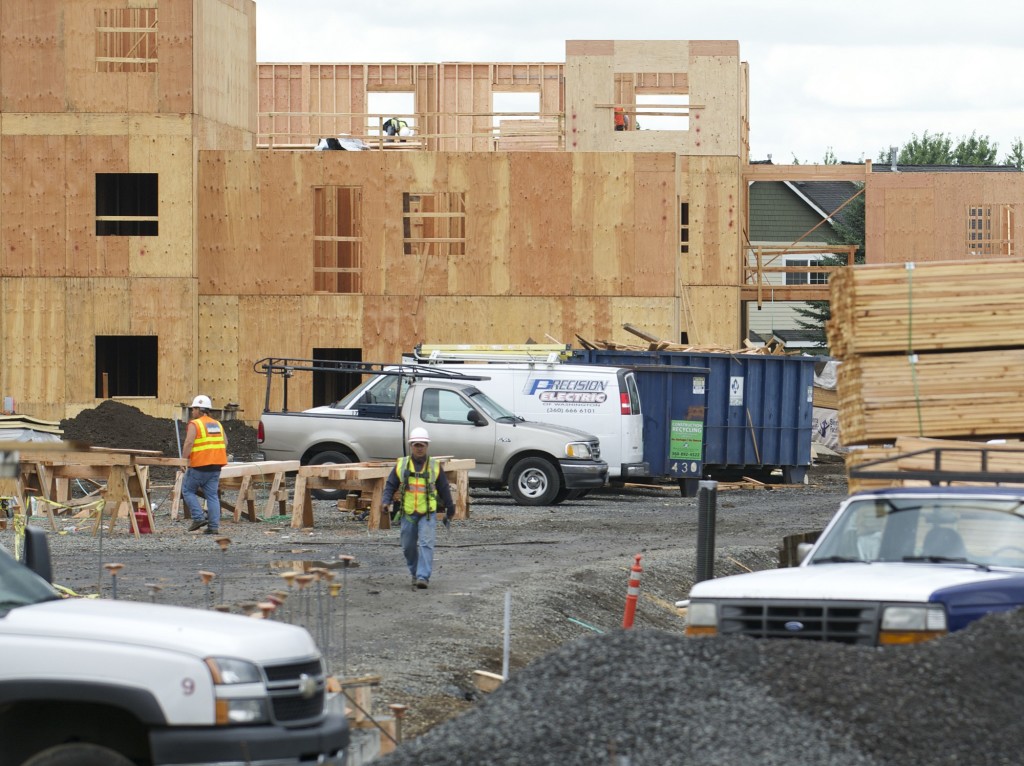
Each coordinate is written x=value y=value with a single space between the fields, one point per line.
x=206 y=448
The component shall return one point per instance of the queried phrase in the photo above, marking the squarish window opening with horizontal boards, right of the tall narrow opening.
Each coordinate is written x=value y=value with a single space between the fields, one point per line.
x=435 y=224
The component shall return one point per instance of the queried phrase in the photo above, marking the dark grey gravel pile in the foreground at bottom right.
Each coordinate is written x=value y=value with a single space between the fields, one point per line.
x=653 y=698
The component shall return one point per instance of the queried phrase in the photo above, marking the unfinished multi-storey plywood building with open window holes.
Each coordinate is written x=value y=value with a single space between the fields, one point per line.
x=165 y=221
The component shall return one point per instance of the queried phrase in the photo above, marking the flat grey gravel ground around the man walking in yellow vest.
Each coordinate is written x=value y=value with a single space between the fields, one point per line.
x=567 y=568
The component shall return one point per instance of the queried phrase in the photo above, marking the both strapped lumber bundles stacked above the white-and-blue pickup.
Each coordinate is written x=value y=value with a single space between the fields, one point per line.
x=930 y=350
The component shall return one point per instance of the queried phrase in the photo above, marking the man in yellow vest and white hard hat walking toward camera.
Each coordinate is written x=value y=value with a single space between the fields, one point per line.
x=421 y=487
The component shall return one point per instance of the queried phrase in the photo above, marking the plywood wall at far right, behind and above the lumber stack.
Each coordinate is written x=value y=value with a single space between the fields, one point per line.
x=923 y=217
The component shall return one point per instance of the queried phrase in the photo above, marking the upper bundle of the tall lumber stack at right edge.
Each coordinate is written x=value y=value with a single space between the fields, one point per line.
x=927 y=307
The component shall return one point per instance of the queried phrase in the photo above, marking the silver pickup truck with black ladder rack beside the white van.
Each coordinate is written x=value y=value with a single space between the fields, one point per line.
x=539 y=463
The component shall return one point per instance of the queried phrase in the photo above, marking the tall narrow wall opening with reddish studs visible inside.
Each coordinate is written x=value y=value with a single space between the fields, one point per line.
x=338 y=240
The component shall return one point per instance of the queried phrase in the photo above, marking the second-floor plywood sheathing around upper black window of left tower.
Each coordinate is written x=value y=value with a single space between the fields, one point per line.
x=57 y=159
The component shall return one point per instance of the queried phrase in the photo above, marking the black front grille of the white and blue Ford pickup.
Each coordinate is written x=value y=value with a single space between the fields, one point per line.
x=845 y=622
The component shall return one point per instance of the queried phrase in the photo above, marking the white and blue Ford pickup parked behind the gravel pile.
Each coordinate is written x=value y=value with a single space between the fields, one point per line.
x=895 y=566
